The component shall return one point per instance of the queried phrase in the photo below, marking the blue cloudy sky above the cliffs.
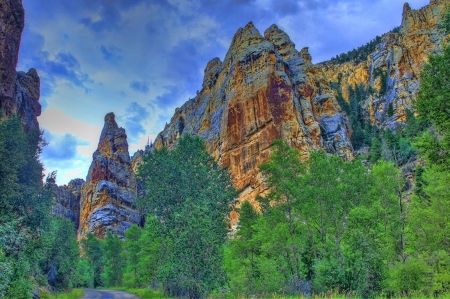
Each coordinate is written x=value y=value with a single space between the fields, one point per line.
x=142 y=59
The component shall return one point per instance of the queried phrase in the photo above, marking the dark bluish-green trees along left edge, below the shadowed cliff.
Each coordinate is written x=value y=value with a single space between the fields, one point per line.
x=24 y=208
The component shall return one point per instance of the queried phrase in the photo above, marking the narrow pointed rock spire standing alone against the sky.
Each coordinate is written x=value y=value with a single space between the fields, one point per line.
x=107 y=196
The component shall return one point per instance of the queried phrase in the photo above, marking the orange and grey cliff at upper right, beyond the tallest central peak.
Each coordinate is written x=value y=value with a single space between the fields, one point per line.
x=398 y=58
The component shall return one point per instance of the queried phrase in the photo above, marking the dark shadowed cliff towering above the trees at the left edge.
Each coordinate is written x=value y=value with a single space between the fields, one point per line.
x=19 y=92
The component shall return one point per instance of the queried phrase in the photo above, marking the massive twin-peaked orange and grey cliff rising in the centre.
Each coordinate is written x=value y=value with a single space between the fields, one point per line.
x=263 y=90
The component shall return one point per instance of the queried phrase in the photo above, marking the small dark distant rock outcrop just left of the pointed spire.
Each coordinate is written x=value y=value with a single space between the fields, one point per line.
x=66 y=201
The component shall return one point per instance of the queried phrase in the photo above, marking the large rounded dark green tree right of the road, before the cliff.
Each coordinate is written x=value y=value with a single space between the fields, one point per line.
x=190 y=196
